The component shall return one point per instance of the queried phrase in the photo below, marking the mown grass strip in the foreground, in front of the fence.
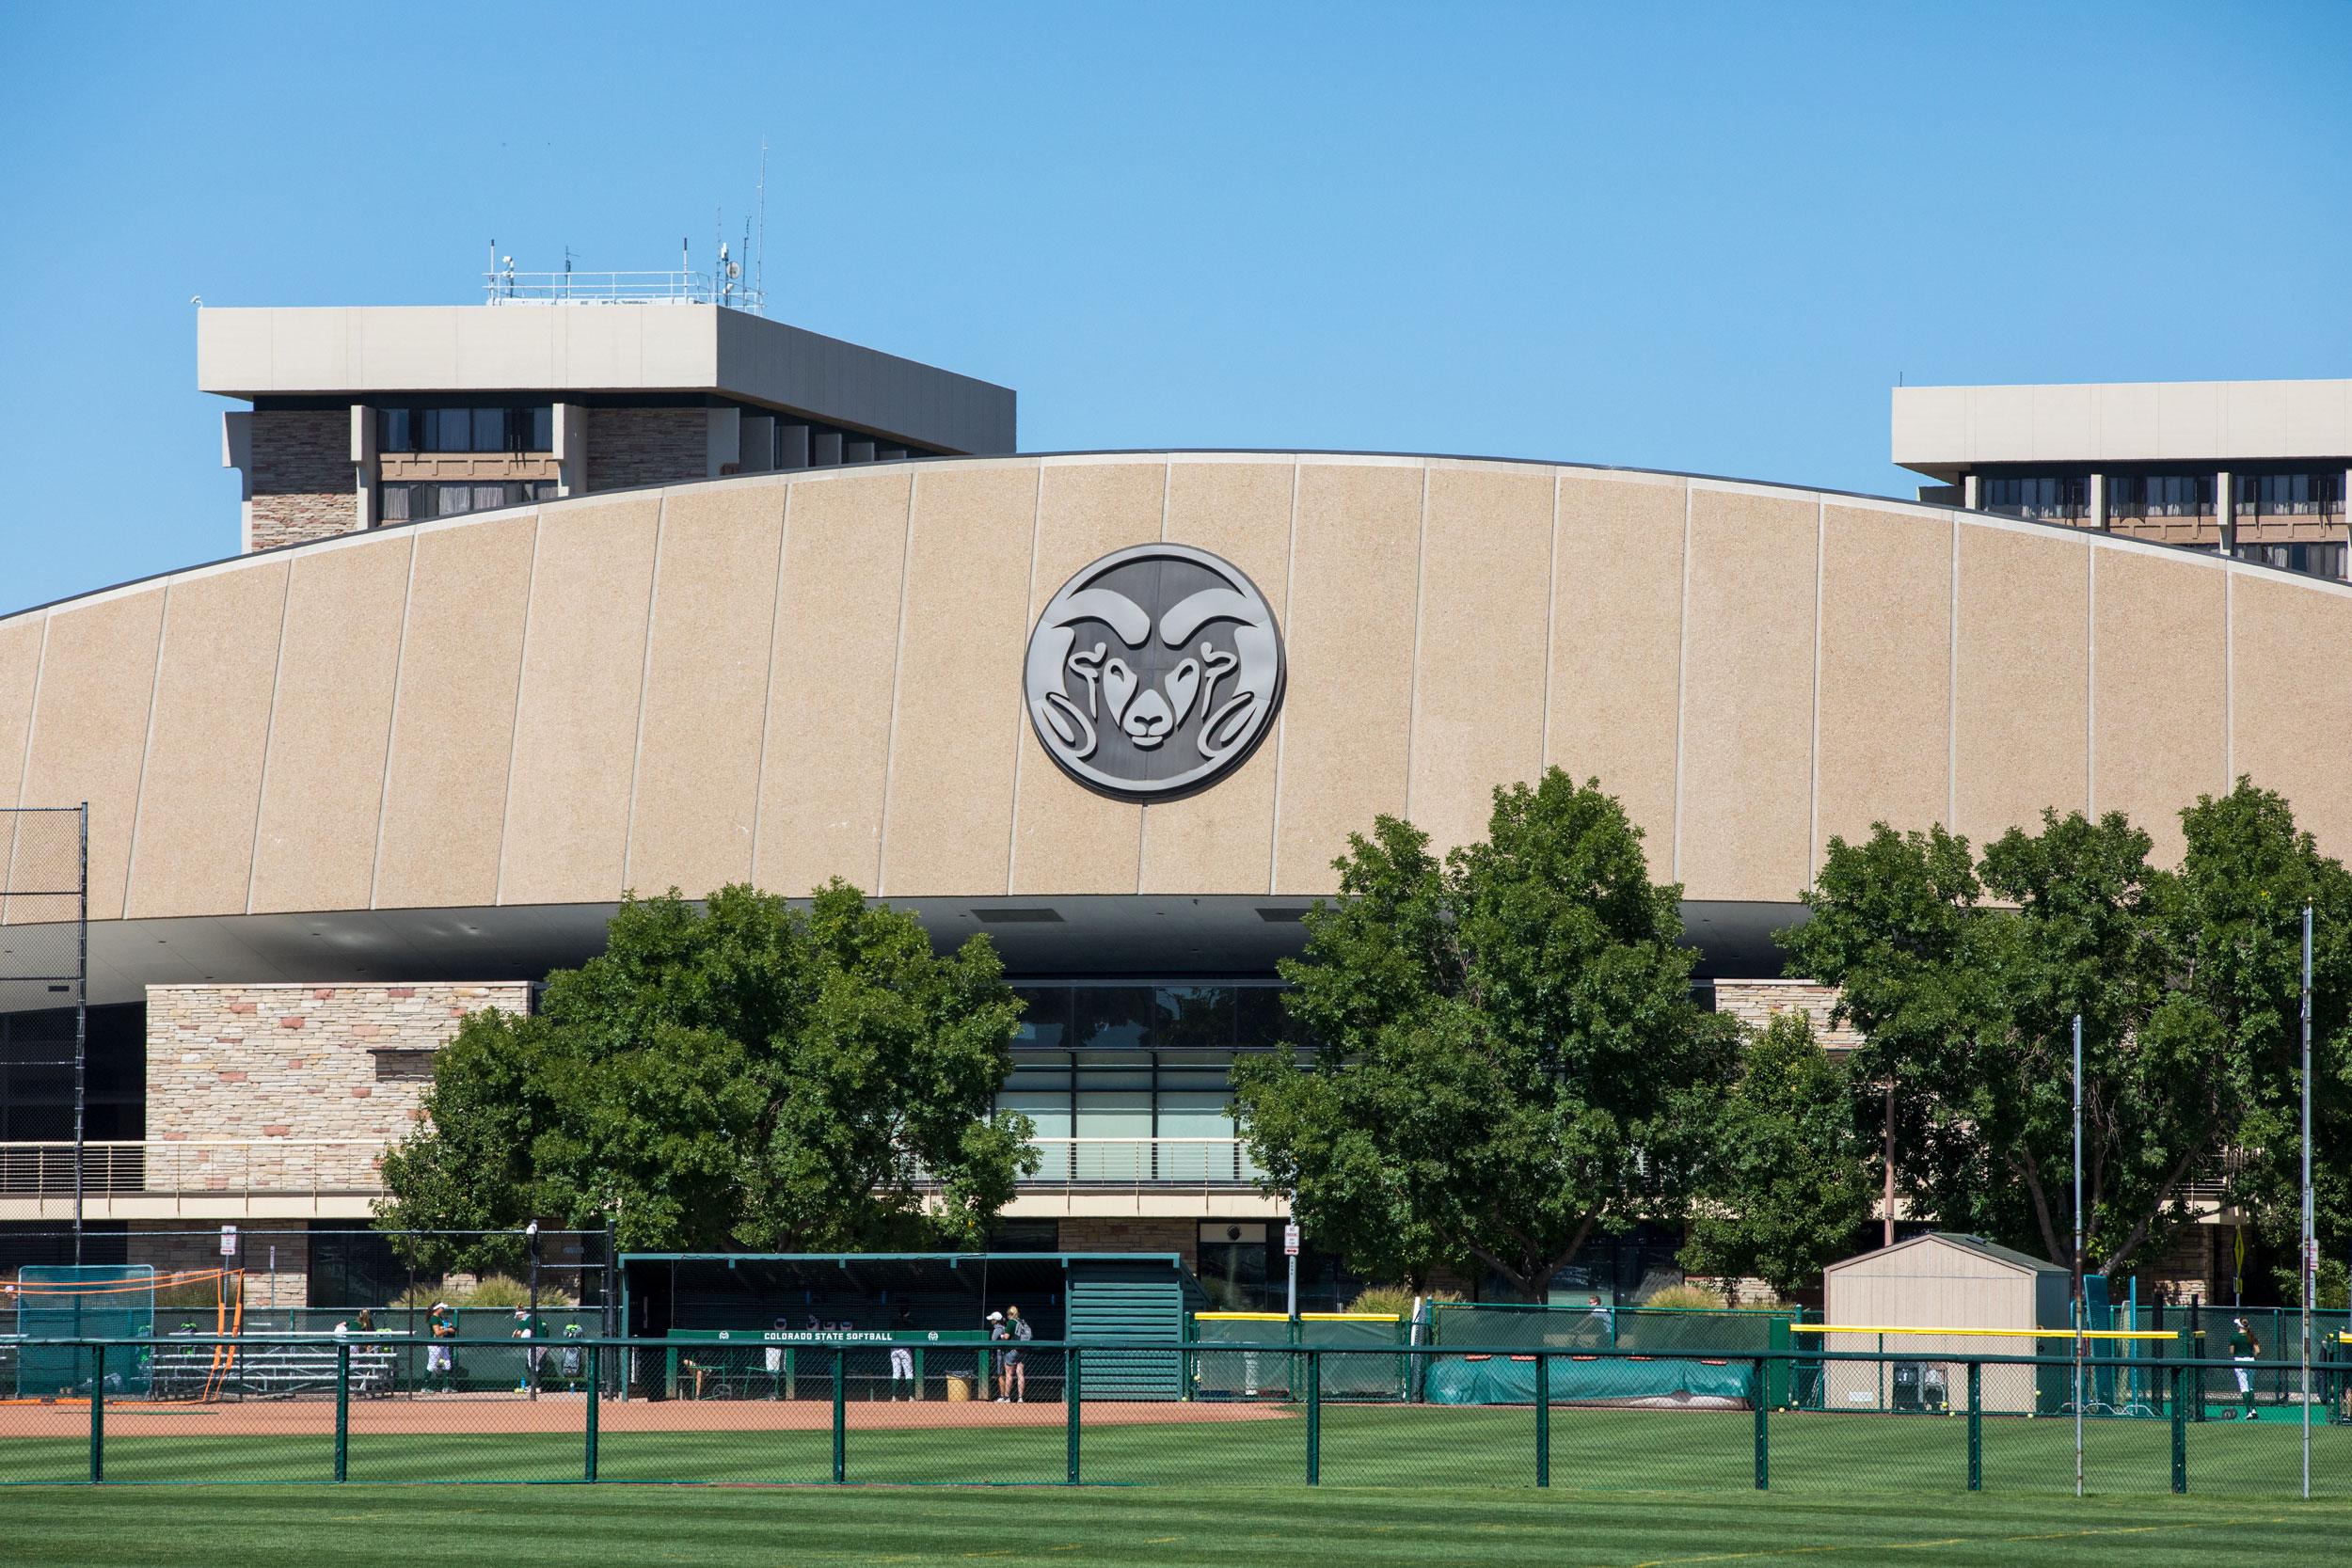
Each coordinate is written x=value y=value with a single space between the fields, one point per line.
x=380 y=1527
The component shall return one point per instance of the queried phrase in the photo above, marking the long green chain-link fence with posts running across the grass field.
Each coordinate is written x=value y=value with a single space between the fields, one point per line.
x=909 y=1412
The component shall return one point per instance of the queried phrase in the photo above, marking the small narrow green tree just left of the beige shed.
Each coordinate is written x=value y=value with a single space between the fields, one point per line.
x=1789 y=1177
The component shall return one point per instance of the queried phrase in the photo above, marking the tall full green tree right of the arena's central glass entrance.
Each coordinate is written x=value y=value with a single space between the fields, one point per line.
x=1506 y=1054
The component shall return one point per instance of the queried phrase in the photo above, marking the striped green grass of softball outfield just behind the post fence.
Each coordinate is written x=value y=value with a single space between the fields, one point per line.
x=1408 y=1447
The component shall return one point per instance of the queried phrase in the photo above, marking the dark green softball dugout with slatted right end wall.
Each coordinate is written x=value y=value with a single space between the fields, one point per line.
x=1088 y=1299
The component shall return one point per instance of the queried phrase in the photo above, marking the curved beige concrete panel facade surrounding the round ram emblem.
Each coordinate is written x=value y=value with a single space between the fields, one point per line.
x=808 y=676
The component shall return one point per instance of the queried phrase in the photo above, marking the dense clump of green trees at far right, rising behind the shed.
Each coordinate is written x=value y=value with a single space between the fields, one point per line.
x=1965 y=974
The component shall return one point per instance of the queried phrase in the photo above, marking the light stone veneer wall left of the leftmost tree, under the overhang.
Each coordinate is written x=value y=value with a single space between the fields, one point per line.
x=298 y=1064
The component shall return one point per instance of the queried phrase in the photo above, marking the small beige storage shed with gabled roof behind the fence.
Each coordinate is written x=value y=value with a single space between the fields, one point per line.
x=1951 y=1282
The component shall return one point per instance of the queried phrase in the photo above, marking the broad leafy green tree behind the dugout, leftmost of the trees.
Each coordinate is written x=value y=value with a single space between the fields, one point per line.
x=730 y=1076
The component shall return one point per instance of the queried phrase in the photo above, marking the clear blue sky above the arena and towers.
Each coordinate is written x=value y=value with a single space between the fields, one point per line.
x=1678 y=236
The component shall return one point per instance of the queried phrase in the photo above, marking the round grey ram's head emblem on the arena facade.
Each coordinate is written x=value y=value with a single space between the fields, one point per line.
x=1154 y=671
